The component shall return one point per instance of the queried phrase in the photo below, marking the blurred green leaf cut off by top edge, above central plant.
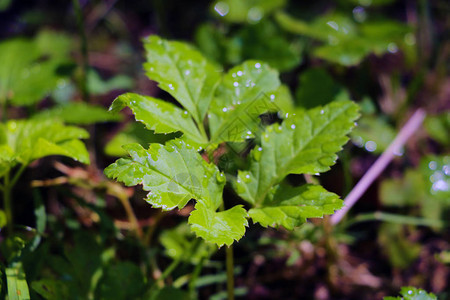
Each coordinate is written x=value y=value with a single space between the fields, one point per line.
x=252 y=11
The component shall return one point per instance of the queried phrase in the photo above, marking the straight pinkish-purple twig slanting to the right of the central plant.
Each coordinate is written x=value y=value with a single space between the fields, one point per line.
x=375 y=170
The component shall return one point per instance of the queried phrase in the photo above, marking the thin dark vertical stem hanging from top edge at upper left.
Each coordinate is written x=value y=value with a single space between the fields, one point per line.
x=83 y=49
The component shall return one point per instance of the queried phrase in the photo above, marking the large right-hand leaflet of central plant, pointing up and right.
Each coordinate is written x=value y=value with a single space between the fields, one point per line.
x=305 y=143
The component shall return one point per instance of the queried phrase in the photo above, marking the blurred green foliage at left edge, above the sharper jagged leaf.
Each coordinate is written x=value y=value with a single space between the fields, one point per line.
x=29 y=69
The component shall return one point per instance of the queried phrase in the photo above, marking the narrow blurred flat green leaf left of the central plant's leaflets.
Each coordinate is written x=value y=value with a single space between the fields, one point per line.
x=78 y=113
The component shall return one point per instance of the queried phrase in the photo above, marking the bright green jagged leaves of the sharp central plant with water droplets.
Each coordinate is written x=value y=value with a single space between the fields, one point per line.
x=220 y=108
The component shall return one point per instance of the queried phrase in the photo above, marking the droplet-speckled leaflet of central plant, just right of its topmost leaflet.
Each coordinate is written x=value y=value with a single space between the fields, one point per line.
x=244 y=94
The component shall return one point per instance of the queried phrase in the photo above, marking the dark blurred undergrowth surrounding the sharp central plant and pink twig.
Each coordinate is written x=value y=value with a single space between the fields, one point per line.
x=79 y=236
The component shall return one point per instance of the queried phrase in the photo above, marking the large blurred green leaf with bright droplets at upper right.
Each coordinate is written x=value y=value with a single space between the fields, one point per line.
x=344 y=41
